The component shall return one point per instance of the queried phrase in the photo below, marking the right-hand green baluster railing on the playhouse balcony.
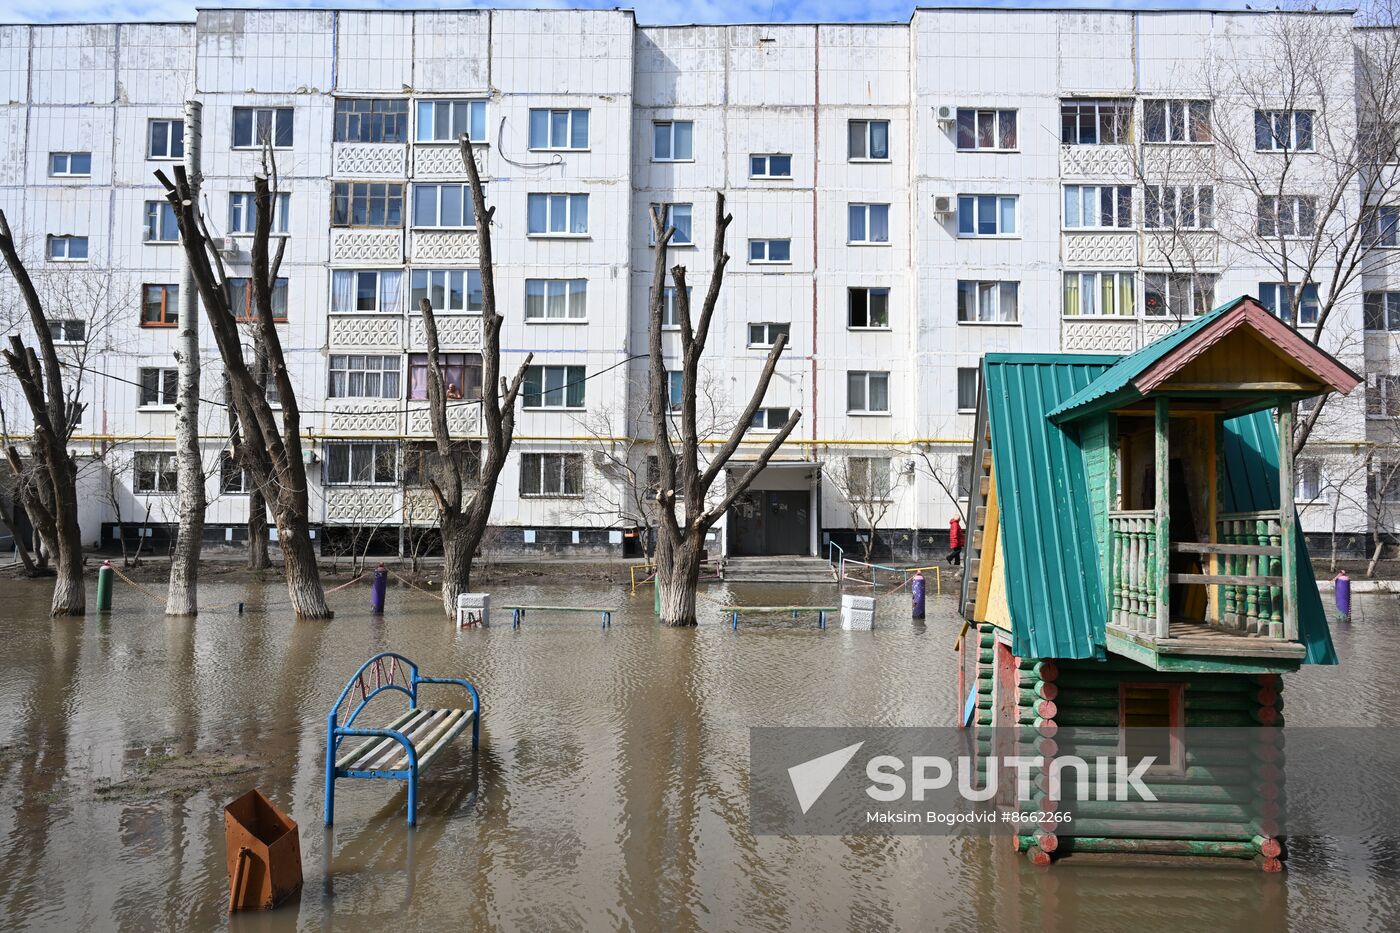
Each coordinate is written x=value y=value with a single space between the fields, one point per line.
x=1252 y=593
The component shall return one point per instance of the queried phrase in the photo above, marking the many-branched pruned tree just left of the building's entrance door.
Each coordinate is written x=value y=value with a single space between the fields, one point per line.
x=684 y=512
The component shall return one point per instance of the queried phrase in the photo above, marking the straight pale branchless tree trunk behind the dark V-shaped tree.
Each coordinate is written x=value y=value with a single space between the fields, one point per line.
x=183 y=596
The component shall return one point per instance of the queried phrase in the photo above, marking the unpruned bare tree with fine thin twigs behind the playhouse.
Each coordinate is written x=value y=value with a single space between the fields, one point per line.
x=1312 y=109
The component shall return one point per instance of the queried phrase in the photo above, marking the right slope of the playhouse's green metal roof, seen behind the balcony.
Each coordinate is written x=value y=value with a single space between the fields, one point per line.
x=1252 y=485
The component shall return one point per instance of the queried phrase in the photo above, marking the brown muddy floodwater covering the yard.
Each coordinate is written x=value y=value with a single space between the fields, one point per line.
x=611 y=787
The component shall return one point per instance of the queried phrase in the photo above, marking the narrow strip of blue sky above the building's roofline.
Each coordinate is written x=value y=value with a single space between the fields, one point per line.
x=649 y=12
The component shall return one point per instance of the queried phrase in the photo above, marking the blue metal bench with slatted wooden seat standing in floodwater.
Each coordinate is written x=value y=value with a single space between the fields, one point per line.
x=407 y=746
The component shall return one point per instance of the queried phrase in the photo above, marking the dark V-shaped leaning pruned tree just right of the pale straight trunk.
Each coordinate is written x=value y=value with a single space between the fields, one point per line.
x=271 y=452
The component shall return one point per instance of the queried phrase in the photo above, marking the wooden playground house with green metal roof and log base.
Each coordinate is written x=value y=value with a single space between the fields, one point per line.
x=1136 y=568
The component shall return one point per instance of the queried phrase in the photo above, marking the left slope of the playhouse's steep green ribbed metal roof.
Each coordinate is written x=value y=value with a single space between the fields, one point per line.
x=1052 y=569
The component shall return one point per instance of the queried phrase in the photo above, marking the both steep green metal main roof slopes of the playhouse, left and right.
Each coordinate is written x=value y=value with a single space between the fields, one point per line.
x=1055 y=583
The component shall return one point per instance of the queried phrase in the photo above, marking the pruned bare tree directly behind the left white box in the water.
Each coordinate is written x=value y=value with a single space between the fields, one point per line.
x=465 y=502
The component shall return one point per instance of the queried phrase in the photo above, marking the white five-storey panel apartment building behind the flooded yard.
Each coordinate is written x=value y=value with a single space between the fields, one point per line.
x=906 y=198
